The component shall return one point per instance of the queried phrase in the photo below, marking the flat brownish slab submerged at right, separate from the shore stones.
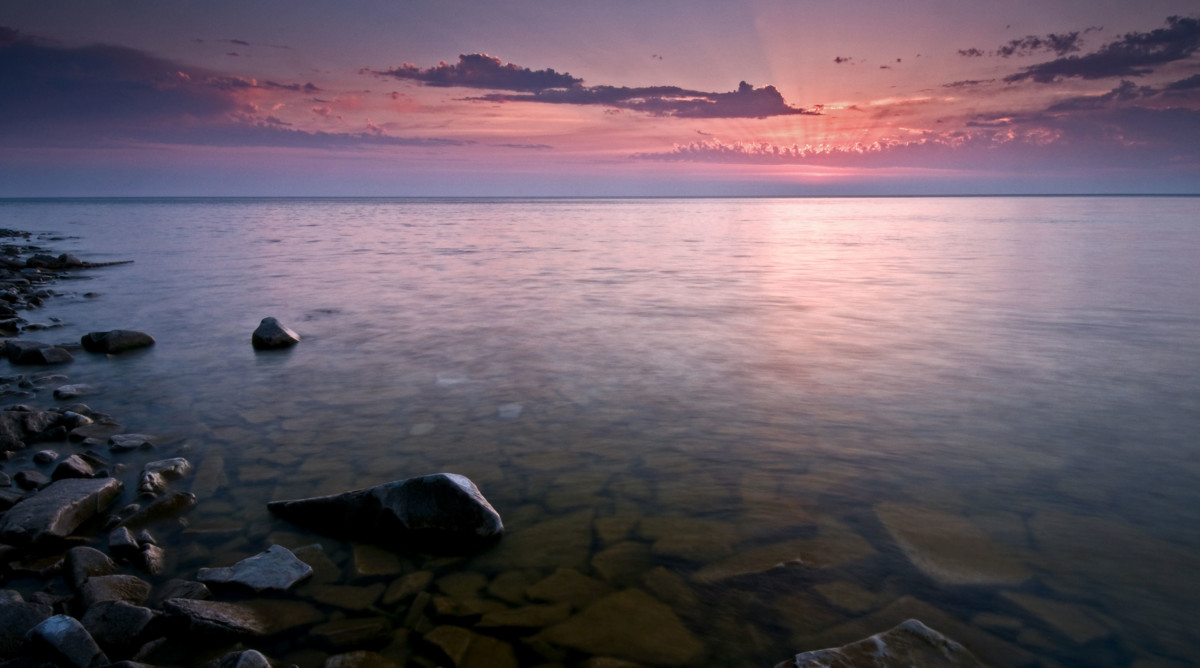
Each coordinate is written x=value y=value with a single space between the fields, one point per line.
x=949 y=547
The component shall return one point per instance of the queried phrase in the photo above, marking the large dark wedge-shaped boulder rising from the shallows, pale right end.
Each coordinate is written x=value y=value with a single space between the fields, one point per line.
x=434 y=513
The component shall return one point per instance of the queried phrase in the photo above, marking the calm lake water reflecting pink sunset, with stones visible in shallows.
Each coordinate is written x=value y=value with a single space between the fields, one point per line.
x=983 y=413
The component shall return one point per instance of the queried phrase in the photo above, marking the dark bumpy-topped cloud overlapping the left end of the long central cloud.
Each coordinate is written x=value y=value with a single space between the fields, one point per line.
x=485 y=73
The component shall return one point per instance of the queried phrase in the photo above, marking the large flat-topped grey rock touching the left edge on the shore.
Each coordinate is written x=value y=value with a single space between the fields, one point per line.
x=58 y=510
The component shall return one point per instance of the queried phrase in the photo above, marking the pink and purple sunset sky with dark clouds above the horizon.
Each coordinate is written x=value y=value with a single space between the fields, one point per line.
x=566 y=98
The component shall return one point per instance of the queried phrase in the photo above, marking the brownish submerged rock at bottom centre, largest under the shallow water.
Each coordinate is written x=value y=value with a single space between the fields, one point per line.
x=631 y=625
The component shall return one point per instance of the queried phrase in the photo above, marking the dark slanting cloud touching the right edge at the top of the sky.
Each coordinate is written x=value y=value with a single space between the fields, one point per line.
x=1133 y=55
